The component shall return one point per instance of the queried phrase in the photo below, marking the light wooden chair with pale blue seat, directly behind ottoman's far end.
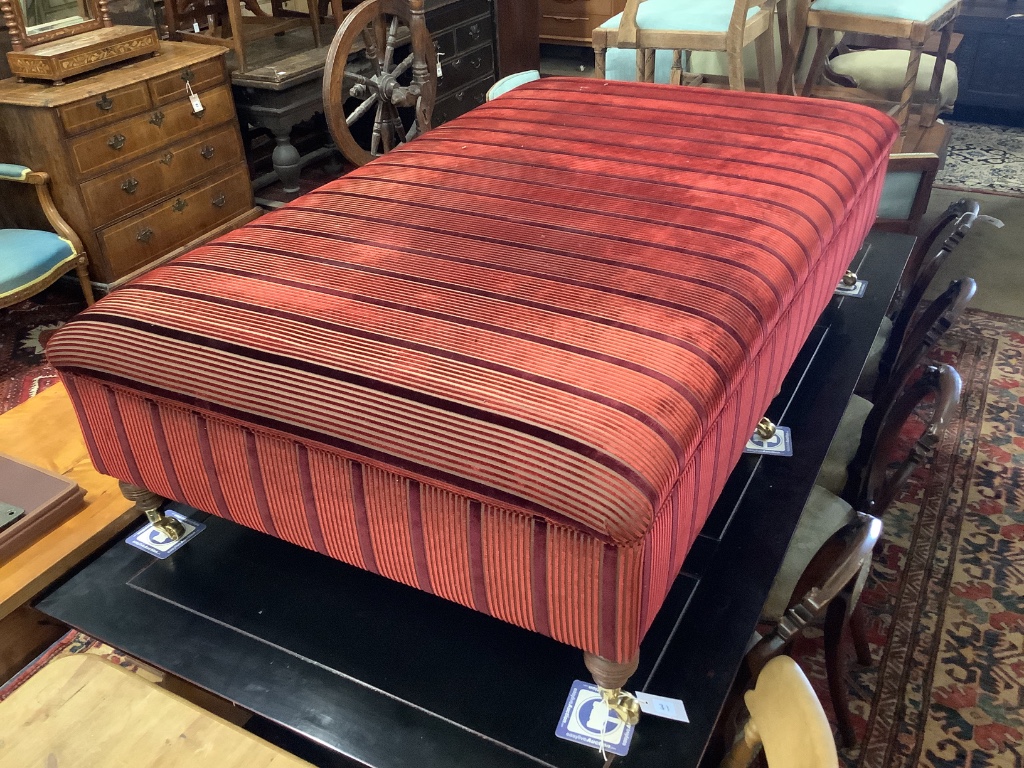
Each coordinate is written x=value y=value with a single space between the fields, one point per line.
x=648 y=26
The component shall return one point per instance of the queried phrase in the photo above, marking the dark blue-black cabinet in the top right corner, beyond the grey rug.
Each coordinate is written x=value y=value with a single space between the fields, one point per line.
x=991 y=59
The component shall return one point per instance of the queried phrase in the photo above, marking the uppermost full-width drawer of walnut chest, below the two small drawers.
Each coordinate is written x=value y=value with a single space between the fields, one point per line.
x=132 y=139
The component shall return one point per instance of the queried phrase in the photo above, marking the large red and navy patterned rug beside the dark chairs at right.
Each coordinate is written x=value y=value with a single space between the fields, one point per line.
x=947 y=595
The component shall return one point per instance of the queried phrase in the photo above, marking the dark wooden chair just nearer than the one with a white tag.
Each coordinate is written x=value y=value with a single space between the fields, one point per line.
x=862 y=421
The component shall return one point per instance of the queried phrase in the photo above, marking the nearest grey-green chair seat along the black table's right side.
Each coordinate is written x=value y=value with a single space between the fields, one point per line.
x=824 y=515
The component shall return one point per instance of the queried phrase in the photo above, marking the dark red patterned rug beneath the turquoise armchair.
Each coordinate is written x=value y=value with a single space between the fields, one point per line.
x=24 y=330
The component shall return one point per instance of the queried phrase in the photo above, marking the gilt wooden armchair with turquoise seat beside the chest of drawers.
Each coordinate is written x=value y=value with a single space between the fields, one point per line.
x=34 y=260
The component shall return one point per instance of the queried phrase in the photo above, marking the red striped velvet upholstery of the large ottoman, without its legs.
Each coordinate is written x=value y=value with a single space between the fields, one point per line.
x=511 y=364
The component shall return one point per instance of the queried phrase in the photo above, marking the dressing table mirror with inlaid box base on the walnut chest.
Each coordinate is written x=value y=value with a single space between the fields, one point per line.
x=58 y=39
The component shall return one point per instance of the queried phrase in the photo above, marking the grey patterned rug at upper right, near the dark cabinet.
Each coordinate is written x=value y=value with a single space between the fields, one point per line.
x=985 y=158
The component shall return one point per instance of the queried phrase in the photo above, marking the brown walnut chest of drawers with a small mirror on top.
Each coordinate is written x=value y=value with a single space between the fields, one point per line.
x=136 y=170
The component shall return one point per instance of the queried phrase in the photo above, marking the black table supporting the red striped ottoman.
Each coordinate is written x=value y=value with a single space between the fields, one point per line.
x=383 y=675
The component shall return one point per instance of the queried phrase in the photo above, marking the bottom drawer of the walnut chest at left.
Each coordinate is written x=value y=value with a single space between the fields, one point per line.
x=170 y=225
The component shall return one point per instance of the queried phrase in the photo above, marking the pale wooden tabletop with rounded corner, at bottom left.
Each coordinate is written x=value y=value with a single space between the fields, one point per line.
x=86 y=712
